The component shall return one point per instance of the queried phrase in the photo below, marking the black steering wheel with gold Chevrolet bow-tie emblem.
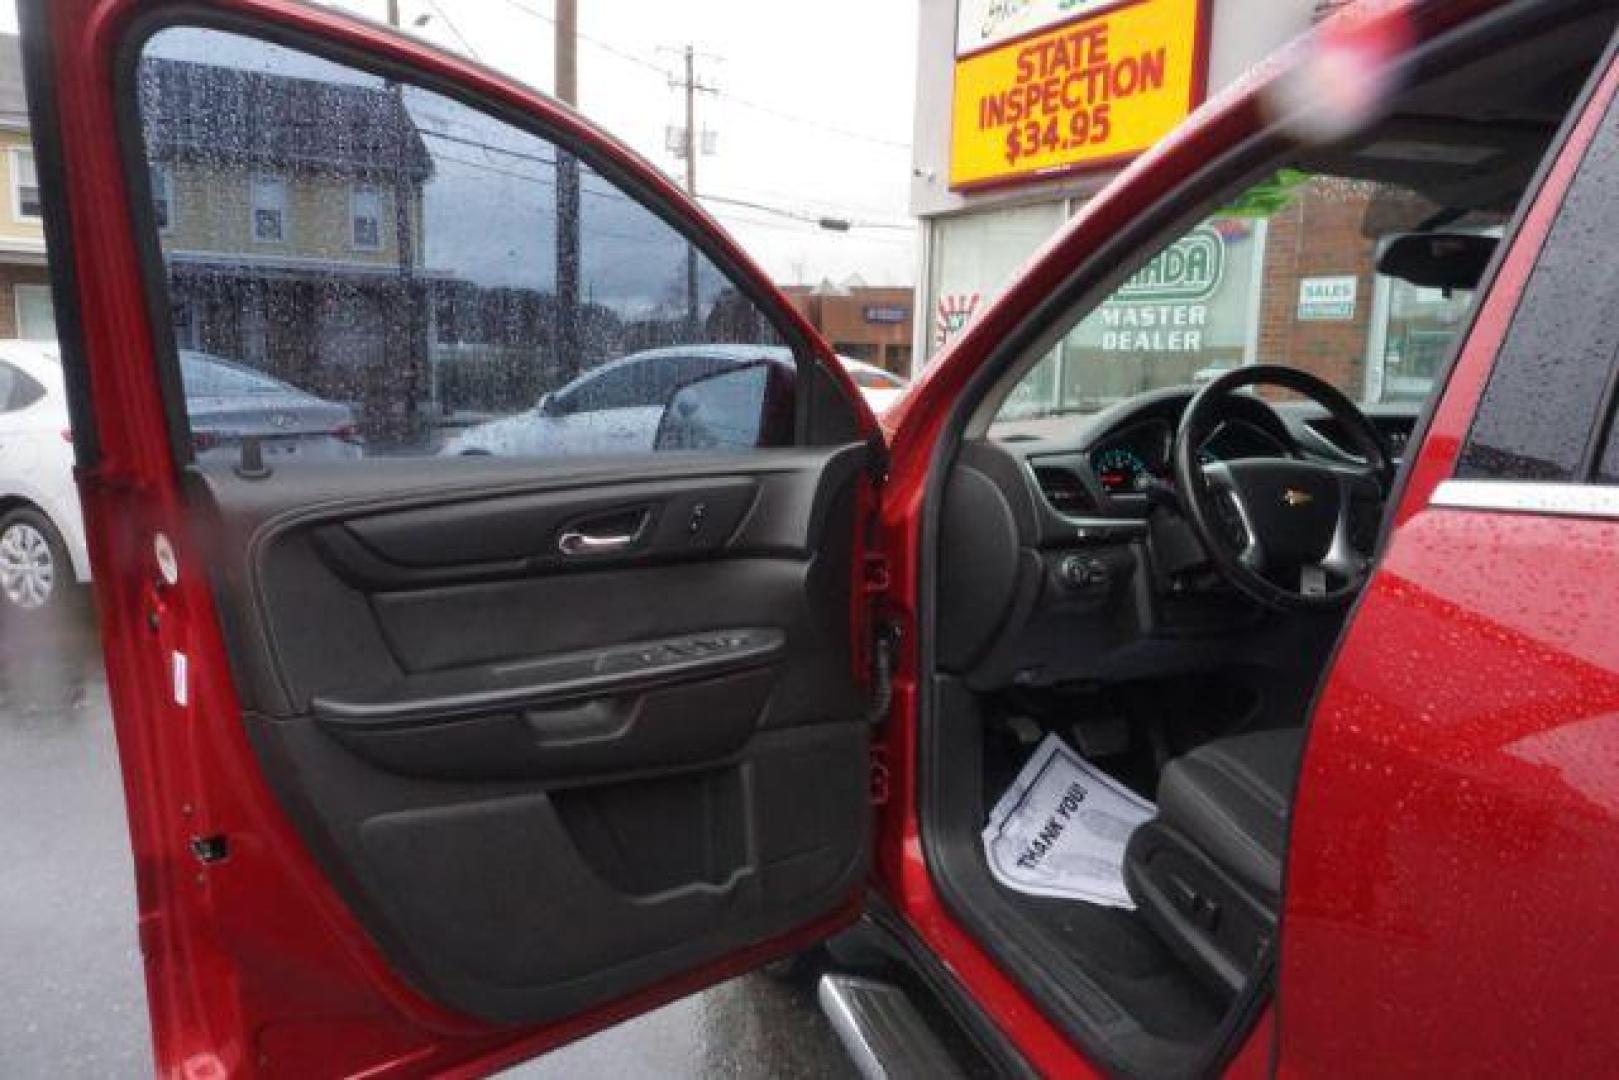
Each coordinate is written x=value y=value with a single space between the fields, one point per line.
x=1280 y=529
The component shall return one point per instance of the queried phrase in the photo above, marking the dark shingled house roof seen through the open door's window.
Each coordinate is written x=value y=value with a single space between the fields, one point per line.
x=252 y=117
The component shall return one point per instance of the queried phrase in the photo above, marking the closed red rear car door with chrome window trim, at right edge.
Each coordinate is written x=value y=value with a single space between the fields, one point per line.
x=1456 y=831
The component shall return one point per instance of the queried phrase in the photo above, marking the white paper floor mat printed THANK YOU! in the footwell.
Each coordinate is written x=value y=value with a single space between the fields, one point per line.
x=1061 y=828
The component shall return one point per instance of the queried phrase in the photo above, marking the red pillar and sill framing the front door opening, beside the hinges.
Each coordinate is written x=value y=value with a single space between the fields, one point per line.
x=920 y=422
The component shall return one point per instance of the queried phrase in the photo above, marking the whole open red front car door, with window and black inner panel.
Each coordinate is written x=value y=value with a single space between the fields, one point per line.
x=477 y=545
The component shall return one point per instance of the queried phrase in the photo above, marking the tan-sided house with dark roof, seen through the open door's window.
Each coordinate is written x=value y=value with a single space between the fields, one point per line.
x=292 y=223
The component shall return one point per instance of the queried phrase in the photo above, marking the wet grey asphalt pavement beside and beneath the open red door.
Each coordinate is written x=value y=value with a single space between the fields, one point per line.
x=72 y=995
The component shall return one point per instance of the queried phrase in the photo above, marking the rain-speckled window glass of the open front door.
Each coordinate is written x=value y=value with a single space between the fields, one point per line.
x=372 y=270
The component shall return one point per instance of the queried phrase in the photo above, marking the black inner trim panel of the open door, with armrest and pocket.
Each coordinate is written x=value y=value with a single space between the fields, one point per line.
x=485 y=741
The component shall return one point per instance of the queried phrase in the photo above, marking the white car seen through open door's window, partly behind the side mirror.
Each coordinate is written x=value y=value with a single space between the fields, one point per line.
x=616 y=409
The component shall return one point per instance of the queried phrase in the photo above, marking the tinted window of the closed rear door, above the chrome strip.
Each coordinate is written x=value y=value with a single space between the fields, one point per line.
x=1552 y=385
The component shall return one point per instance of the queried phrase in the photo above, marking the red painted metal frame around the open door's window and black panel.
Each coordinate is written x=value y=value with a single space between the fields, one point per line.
x=261 y=969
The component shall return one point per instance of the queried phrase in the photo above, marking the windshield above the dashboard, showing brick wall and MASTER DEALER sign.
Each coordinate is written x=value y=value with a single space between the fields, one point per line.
x=1285 y=274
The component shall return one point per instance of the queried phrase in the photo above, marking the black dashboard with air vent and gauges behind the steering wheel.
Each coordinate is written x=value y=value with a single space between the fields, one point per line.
x=1053 y=568
